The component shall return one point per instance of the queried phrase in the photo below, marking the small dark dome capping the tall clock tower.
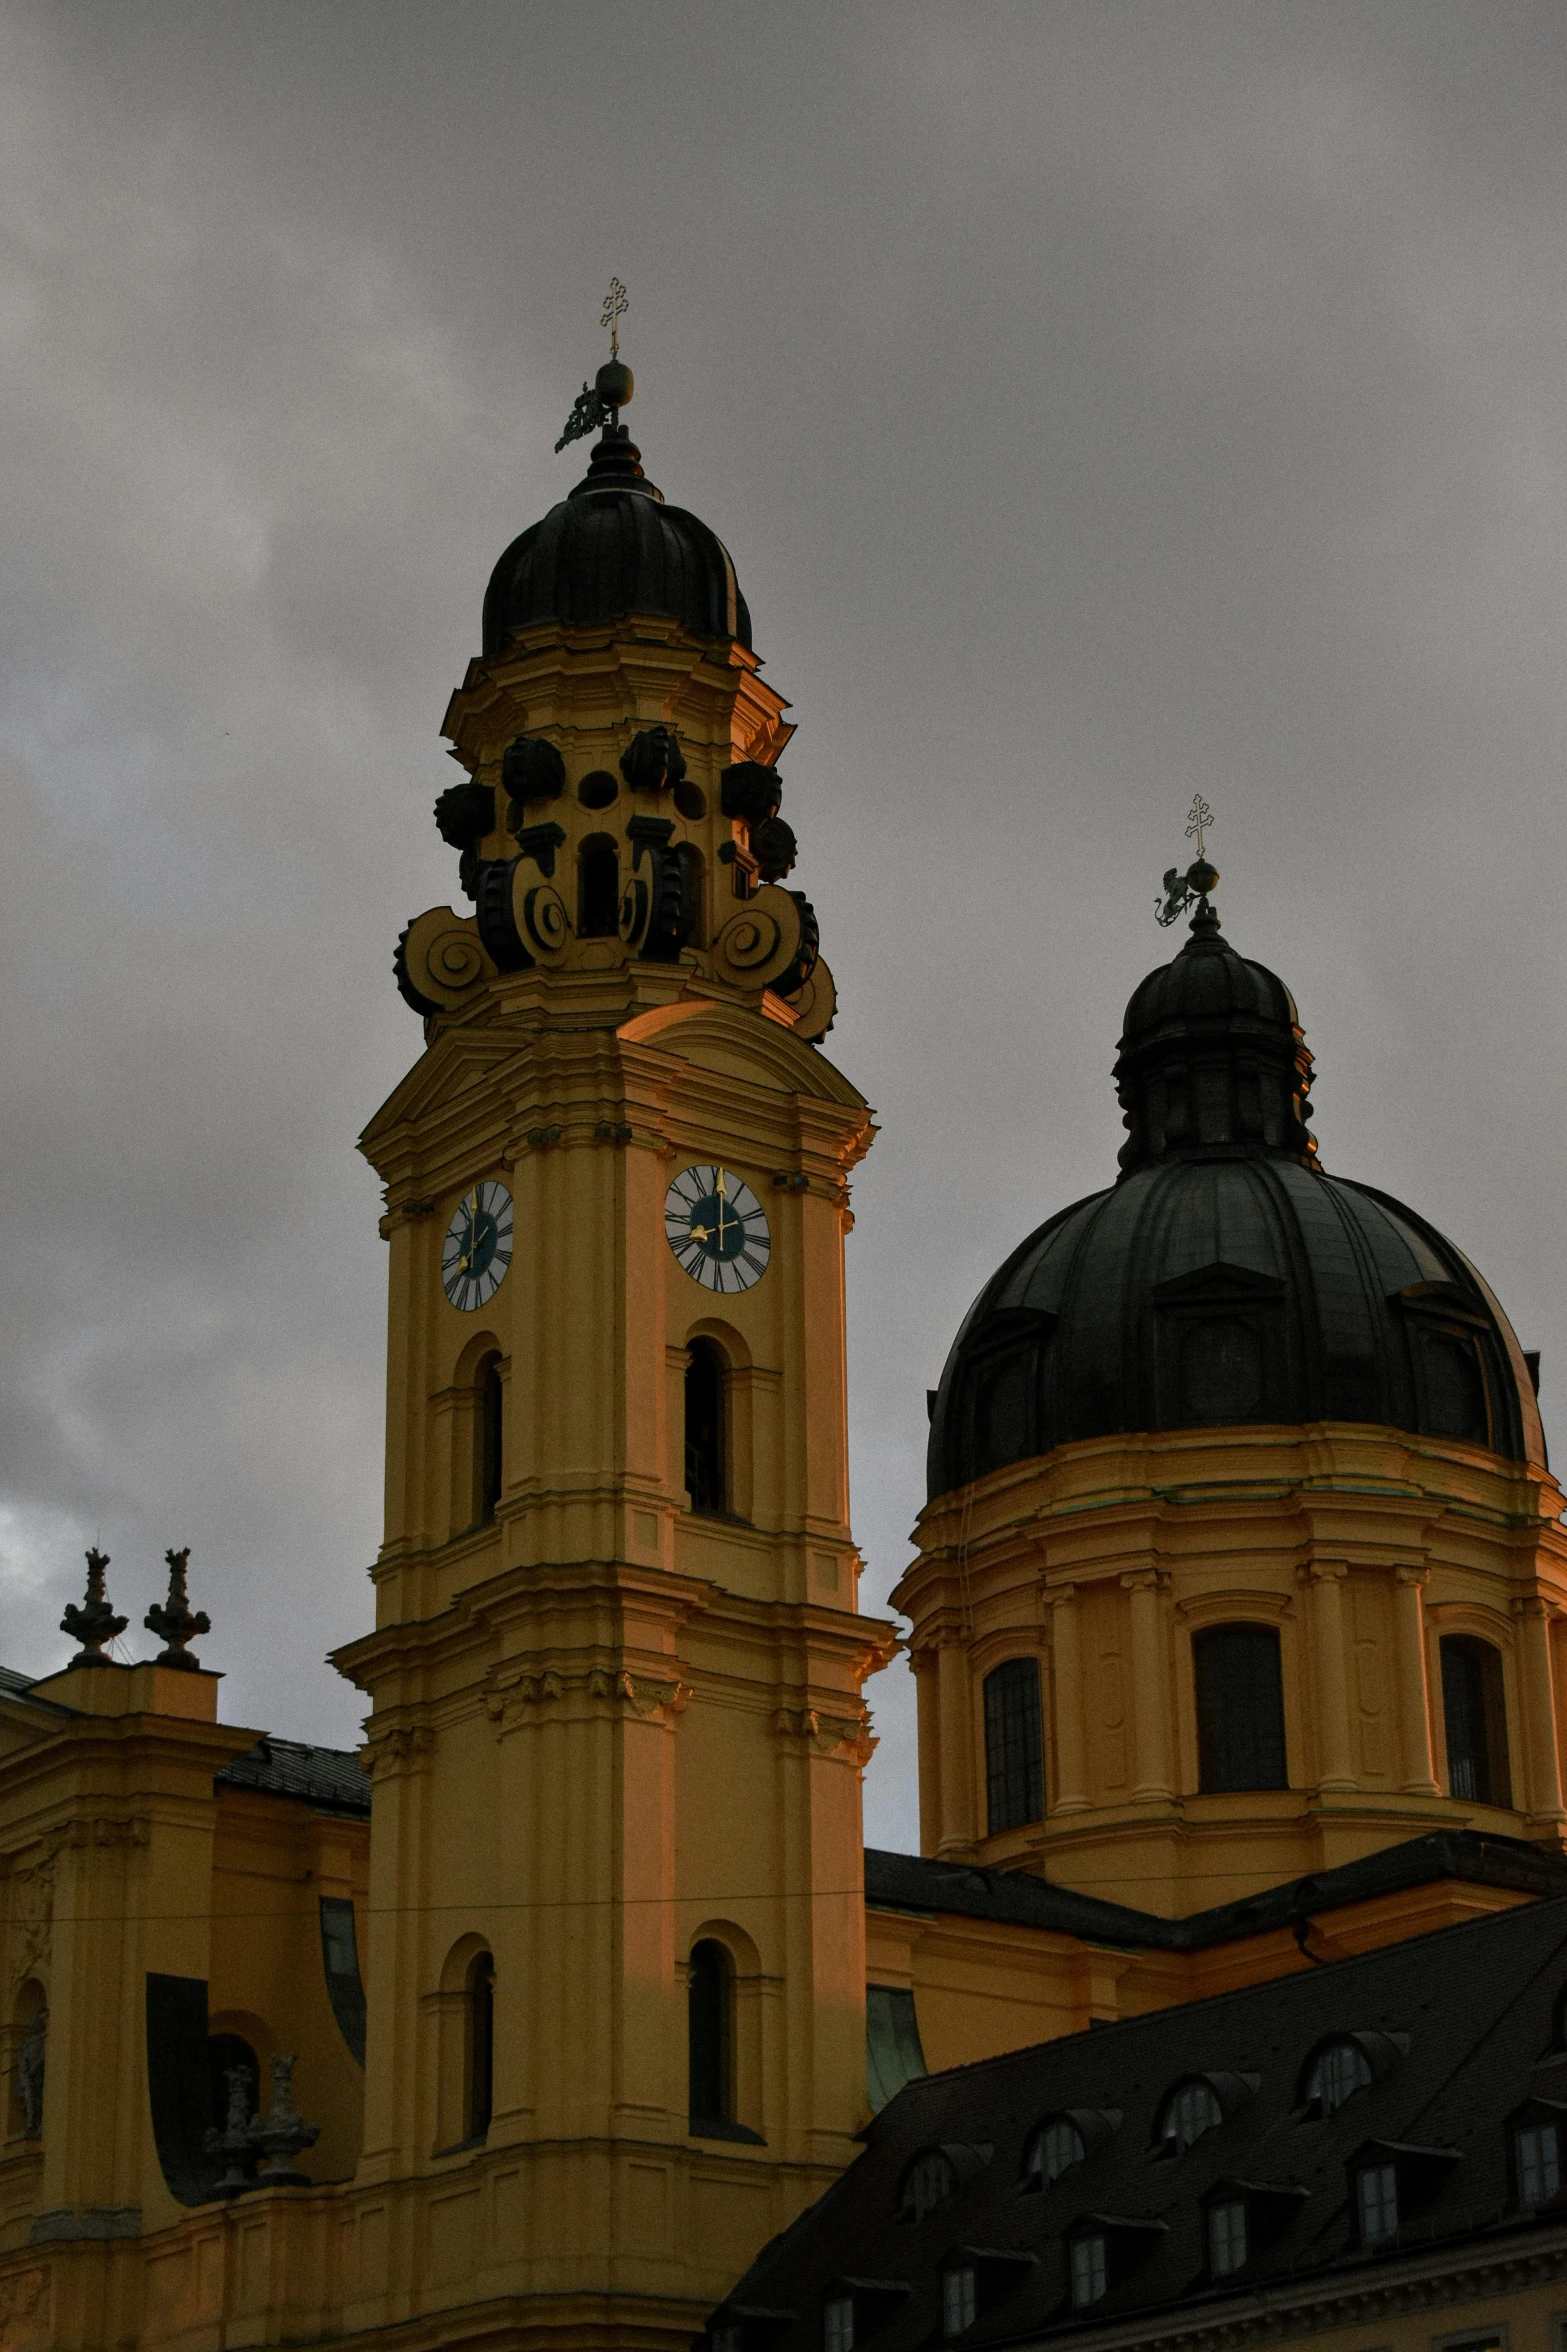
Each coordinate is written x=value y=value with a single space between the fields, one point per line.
x=611 y=549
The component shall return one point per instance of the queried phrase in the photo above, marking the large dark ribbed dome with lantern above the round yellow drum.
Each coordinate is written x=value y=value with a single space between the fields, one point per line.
x=1225 y=1278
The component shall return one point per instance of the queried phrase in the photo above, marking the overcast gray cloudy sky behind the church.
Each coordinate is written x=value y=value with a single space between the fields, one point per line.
x=1100 y=403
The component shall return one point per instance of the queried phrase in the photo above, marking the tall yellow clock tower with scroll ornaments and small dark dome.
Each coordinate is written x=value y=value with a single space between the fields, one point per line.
x=618 y=1728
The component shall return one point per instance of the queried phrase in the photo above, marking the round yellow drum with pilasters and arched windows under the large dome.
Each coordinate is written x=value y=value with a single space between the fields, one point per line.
x=1361 y=1546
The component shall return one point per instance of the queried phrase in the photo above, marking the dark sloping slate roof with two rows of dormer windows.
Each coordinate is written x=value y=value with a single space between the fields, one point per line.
x=1481 y=2014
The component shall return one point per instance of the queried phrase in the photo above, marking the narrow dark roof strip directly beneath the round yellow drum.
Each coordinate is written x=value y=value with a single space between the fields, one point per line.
x=1018 y=1897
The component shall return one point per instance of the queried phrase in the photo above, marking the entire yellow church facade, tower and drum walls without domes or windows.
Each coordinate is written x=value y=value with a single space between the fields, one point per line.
x=608 y=1728
